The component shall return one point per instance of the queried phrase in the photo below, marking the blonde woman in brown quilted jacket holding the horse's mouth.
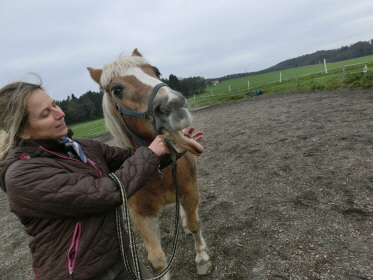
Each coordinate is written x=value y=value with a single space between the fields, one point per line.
x=60 y=189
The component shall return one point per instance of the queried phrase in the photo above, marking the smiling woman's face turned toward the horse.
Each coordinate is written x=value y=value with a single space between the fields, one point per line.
x=45 y=119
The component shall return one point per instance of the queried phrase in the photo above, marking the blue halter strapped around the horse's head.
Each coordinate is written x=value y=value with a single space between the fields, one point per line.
x=147 y=115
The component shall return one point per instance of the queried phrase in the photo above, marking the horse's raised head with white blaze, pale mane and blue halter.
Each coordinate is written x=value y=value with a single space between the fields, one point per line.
x=129 y=83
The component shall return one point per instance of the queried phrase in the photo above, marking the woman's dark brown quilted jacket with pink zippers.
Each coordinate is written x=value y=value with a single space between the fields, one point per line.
x=67 y=206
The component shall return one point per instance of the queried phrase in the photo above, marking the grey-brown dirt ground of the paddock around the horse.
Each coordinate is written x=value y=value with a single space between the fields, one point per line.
x=286 y=187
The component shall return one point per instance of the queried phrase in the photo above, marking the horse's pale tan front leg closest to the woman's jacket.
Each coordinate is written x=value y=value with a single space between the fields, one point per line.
x=148 y=228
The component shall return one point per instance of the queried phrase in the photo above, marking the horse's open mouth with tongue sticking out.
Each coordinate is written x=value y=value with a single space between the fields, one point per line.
x=180 y=143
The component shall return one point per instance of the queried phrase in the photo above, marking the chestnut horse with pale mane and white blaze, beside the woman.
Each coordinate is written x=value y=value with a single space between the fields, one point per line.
x=129 y=83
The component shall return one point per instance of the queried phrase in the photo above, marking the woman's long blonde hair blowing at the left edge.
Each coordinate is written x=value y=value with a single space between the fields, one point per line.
x=13 y=113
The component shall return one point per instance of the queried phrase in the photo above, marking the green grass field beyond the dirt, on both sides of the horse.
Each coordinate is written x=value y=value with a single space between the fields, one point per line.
x=295 y=79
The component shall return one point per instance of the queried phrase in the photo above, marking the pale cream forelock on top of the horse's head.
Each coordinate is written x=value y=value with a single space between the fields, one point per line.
x=119 y=66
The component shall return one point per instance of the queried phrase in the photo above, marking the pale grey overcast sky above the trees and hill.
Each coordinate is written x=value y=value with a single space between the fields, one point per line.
x=59 y=39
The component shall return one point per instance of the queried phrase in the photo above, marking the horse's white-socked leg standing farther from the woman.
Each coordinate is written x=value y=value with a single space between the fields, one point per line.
x=203 y=262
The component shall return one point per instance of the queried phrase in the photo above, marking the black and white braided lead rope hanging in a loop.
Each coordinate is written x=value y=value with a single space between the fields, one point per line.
x=125 y=216
